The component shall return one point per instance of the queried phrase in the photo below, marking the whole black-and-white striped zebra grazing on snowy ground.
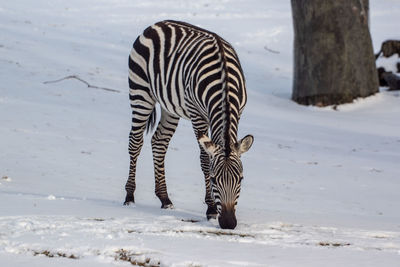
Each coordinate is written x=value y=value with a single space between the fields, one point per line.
x=196 y=75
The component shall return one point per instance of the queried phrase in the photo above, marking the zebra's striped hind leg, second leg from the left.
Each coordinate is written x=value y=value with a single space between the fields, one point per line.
x=159 y=143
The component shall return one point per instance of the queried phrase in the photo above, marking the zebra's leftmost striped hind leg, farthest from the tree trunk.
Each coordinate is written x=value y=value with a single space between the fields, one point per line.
x=140 y=116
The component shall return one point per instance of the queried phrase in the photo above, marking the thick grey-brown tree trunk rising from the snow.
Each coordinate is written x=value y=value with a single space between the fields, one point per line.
x=334 y=61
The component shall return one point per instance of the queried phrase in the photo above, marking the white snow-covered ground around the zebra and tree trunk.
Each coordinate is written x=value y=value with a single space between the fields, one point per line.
x=321 y=186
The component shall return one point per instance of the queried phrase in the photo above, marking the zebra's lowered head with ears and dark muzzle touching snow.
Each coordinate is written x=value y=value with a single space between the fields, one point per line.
x=226 y=174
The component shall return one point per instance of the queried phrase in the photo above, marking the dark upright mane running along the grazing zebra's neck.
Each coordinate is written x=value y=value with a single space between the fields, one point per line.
x=225 y=106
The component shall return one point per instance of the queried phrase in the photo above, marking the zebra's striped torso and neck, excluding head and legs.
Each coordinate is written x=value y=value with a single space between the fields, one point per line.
x=192 y=71
